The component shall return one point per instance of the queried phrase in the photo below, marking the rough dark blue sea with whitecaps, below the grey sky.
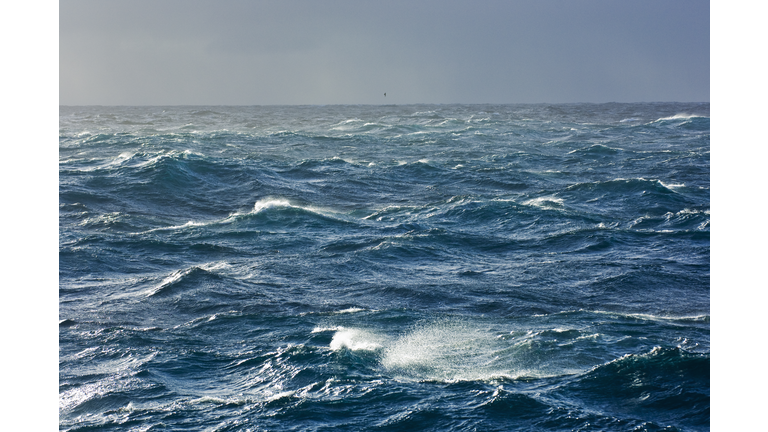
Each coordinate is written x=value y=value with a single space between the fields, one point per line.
x=393 y=268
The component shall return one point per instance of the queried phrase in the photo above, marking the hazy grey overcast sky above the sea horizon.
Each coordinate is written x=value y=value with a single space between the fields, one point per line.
x=228 y=52
